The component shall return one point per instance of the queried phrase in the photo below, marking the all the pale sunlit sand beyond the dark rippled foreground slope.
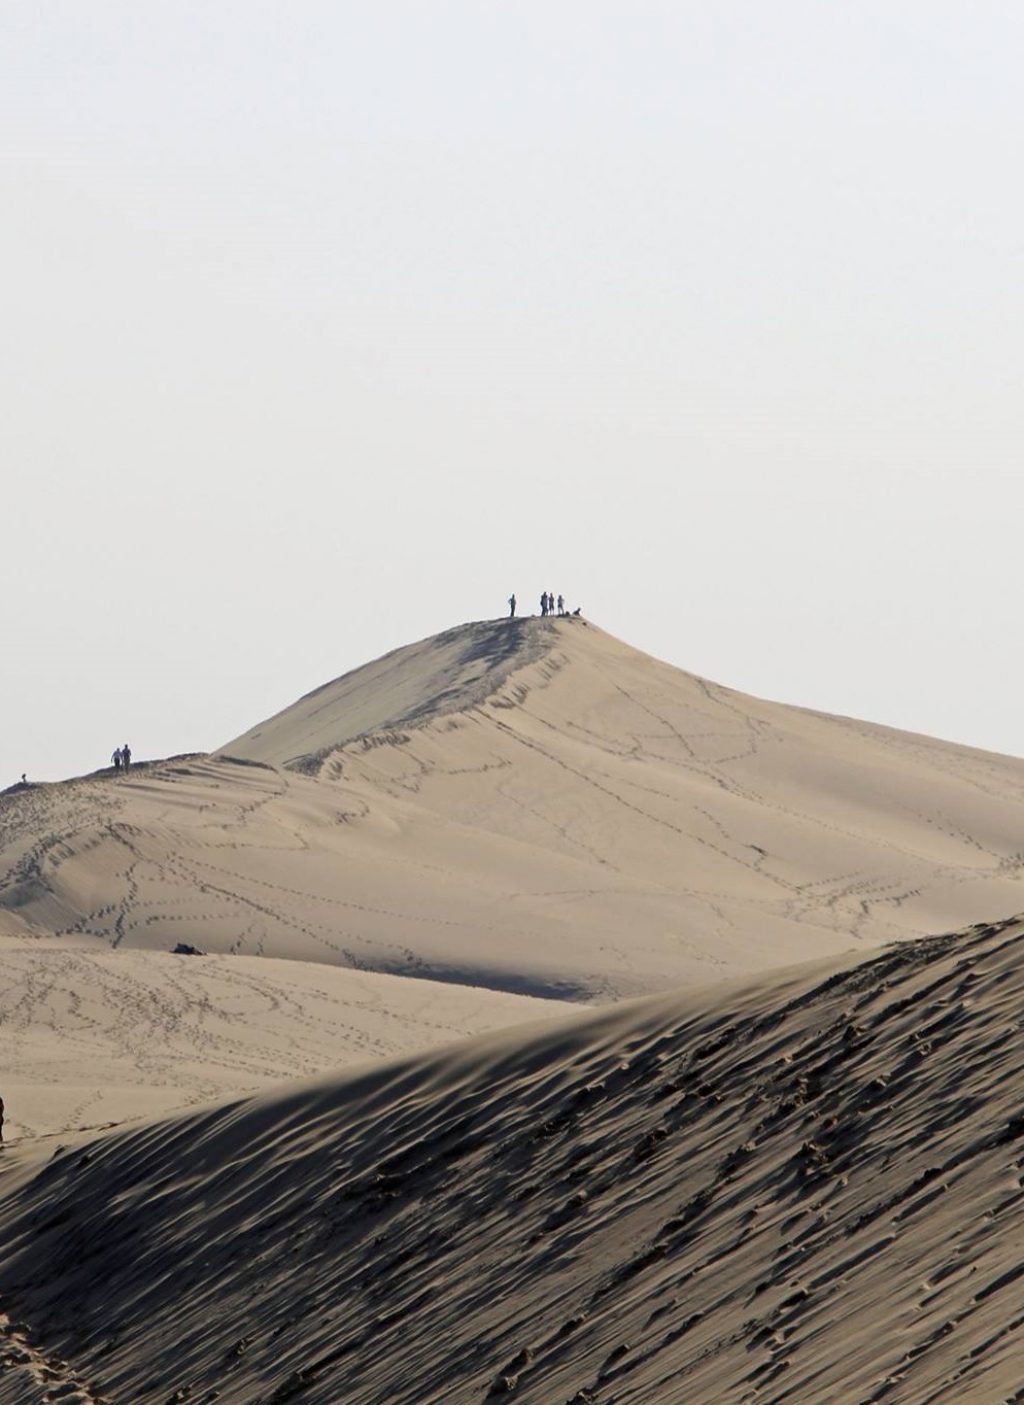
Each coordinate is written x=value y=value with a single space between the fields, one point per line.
x=512 y=811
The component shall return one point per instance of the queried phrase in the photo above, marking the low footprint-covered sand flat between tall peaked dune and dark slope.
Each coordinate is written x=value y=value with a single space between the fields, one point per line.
x=99 y=1036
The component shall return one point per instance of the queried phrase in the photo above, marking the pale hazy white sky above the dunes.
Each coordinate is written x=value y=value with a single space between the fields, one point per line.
x=328 y=325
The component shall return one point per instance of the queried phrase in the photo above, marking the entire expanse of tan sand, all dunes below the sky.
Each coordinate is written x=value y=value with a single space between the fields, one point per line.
x=796 y=1178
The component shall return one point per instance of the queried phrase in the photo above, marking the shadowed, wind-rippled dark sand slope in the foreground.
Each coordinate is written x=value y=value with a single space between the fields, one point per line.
x=801 y=1192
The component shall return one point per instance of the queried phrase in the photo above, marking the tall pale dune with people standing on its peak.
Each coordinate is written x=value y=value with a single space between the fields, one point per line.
x=532 y=807
